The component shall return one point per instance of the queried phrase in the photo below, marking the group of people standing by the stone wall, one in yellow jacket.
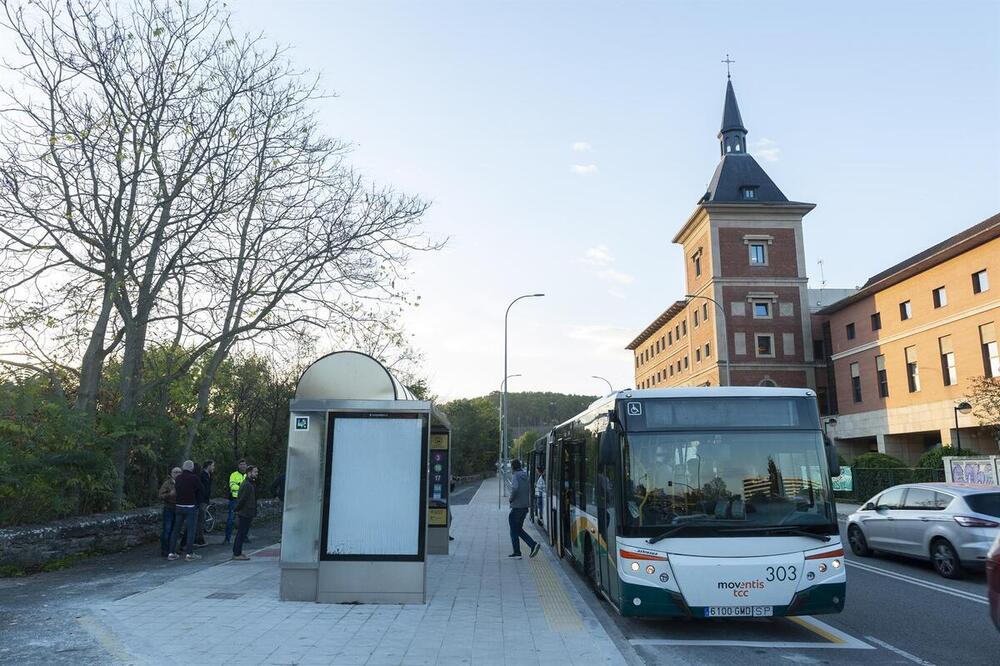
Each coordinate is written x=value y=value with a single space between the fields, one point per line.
x=186 y=495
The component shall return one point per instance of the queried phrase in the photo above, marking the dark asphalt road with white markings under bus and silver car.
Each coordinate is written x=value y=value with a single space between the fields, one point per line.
x=898 y=611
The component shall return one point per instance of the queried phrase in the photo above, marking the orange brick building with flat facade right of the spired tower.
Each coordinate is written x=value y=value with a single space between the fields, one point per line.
x=907 y=345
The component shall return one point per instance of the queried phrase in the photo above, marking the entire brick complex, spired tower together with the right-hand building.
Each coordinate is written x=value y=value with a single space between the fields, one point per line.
x=891 y=361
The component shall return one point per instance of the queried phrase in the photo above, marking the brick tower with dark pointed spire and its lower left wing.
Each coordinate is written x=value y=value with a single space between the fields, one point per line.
x=744 y=317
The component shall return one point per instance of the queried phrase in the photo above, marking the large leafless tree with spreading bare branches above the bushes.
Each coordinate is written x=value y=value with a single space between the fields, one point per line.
x=166 y=184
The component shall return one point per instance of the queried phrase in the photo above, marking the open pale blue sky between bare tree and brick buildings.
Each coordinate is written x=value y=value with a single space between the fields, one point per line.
x=563 y=144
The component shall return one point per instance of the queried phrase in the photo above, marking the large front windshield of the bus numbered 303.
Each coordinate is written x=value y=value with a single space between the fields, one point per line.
x=720 y=480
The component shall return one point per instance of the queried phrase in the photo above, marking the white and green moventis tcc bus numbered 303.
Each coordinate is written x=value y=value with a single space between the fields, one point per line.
x=699 y=502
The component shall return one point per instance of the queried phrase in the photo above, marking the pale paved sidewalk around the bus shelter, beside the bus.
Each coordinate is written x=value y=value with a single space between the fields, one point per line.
x=482 y=609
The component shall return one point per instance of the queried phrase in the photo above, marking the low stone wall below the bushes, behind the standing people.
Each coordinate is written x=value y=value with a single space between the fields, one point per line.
x=32 y=546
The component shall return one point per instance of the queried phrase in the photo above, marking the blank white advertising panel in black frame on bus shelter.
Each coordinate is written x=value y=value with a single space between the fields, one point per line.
x=375 y=493
